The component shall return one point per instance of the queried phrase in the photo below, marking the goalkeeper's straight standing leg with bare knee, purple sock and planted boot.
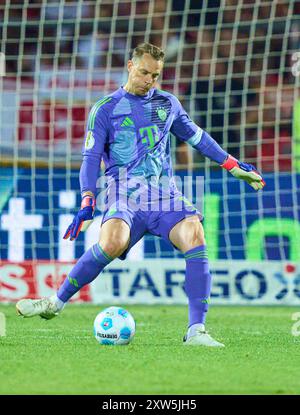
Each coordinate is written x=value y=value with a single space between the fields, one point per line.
x=188 y=236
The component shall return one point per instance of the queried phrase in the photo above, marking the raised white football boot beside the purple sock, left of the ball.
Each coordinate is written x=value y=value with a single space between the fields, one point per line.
x=46 y=307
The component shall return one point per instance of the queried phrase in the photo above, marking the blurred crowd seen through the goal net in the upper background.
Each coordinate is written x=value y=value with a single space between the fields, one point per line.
x=229 y=62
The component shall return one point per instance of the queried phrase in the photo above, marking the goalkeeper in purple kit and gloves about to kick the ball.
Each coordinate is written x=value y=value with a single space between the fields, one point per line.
x=129 y=131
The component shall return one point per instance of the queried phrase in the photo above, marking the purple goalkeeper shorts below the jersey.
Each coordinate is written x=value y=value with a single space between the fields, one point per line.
x=158 y=223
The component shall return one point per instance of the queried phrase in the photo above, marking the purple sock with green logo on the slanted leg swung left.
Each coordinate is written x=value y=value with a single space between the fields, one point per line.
x=87 y=268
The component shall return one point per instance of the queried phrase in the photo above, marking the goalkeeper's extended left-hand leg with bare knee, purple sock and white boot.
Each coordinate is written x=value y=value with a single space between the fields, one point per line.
x=114 y=239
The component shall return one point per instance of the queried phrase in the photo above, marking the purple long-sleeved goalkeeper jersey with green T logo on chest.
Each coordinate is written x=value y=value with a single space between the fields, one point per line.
x=131 y=133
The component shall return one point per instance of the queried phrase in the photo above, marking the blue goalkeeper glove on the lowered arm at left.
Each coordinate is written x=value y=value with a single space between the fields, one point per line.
x=83 y=219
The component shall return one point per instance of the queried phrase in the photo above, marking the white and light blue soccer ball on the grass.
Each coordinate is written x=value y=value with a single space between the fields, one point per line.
x=114 y=326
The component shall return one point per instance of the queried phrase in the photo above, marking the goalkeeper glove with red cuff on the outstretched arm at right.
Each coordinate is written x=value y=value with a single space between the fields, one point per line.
x=244 y=171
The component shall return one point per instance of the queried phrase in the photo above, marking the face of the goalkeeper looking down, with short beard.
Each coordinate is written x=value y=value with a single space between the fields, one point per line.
x=143 y=73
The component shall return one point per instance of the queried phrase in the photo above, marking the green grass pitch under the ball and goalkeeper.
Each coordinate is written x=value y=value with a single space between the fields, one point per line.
x=61 y=356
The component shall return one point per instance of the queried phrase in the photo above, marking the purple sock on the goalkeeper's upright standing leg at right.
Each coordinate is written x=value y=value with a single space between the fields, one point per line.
x=197 y=284
